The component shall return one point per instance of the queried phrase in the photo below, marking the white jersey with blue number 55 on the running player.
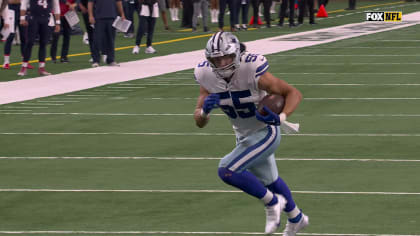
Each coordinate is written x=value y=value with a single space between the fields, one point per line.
x=239 y=97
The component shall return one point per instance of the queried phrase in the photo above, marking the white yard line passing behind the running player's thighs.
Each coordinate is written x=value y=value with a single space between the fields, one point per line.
x=366 y=160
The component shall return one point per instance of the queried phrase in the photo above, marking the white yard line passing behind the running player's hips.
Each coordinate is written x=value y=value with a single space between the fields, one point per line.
x=214 y=134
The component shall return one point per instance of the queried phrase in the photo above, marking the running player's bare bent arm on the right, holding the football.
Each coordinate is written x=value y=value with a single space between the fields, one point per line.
x=274 y=85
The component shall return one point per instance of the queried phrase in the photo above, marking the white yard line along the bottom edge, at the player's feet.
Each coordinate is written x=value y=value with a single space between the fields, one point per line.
x=191 y=233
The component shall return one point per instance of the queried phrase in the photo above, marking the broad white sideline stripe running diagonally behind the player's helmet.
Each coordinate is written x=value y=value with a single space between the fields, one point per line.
x=27 y=89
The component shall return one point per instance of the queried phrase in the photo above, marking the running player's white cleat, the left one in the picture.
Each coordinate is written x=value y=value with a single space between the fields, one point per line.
x=273 y=213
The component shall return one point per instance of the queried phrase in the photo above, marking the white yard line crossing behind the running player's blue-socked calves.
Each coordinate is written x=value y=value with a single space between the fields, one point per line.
x=190 y=191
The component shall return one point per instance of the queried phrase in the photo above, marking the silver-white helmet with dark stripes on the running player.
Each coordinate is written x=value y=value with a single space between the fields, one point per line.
x=222 y=44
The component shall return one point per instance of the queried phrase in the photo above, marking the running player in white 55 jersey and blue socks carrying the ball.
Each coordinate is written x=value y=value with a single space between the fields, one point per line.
x=235 y=81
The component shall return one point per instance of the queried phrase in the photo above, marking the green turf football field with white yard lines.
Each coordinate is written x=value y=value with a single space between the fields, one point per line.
x=127 y=158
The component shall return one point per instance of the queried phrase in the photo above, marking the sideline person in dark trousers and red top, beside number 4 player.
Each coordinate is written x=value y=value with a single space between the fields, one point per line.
x=65 y=6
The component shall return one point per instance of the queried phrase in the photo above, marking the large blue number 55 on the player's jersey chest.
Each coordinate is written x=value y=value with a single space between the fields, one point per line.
x=243 y=110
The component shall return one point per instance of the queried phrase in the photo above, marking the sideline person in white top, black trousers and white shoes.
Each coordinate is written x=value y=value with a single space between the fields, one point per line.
x=148 y=14
